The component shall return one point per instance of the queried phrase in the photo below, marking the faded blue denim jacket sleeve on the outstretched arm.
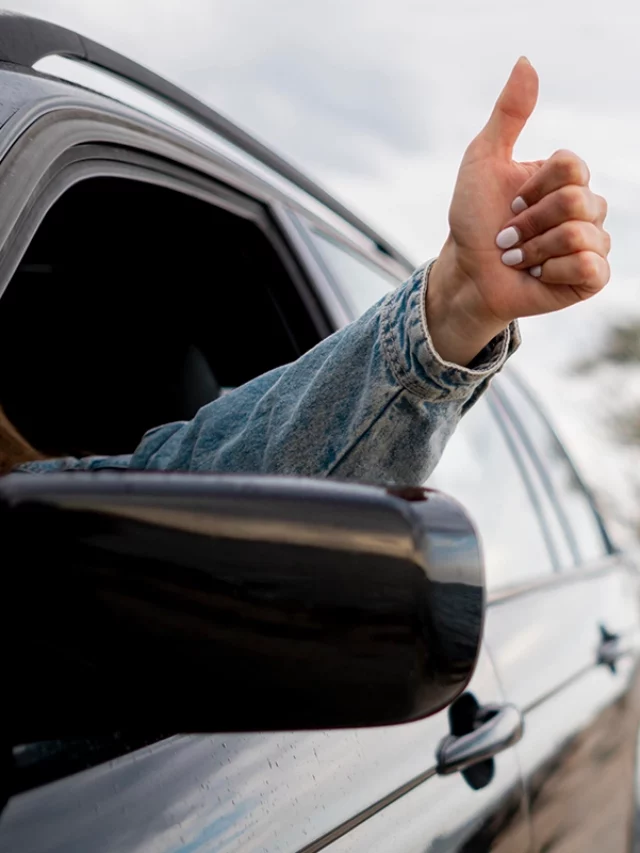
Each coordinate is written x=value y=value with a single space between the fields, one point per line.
x=372 y=402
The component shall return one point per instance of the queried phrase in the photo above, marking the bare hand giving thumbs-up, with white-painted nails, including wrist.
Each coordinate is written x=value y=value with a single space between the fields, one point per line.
x=525 y=238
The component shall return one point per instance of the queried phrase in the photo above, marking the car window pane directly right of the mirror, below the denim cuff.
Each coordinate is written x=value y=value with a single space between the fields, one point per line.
x=479 y=469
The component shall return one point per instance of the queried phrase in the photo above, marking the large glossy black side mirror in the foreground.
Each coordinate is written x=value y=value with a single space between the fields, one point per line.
x=190 y=603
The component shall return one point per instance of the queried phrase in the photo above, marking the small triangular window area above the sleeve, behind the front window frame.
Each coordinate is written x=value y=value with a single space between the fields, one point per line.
x=362 y=283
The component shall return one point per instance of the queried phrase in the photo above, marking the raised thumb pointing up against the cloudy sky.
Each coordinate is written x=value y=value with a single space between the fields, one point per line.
x=514 y=106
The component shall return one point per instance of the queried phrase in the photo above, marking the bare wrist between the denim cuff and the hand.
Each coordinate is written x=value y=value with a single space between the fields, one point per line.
x=459 y=322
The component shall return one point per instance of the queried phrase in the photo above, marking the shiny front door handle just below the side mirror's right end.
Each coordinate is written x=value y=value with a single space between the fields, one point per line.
x=497 y=728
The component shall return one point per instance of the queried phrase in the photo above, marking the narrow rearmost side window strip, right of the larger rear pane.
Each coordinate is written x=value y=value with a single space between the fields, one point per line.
x=568 y=490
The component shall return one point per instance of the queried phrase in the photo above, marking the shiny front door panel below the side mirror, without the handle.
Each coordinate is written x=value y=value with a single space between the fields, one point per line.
x=266 y=792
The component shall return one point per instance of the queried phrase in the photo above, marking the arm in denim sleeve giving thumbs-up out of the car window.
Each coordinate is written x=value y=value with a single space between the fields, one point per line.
x=378 y=400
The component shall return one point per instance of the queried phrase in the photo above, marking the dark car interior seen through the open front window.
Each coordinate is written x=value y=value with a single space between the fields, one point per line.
x=132 y=307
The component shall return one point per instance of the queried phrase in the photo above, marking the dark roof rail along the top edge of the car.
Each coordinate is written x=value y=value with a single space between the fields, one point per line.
x=26 y=42
